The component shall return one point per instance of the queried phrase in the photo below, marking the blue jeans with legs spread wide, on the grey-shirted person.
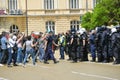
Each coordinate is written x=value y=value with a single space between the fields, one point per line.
x=32 y=53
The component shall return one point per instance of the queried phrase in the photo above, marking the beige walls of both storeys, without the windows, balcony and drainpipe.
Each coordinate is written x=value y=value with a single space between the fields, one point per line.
x=38 y=16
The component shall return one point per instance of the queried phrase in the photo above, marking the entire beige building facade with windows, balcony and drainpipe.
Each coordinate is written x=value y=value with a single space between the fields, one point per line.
x=43 y=15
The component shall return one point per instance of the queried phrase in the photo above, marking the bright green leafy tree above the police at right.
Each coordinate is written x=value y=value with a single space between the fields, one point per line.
x=106 y=12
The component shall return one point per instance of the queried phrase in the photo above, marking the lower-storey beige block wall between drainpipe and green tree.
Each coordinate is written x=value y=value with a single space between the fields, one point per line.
x=62 y=23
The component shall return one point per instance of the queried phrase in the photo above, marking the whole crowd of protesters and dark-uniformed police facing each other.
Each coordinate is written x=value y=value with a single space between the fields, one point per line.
x=102 y=43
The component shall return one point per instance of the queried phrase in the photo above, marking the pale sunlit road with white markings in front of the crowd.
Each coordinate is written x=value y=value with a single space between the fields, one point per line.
x=64 y=70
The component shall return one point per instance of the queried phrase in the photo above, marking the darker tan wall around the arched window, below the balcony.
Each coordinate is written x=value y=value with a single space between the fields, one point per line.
x=7 y=22
